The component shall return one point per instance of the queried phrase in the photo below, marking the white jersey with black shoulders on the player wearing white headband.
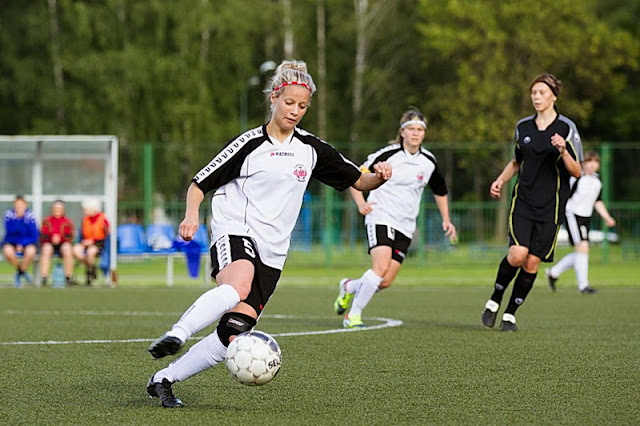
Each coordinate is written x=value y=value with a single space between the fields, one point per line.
x=398 y=200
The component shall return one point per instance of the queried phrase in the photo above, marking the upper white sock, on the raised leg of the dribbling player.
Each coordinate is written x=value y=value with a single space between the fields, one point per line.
x=208 y=308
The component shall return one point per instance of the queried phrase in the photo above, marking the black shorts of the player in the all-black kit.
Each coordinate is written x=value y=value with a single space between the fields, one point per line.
x=539 y=237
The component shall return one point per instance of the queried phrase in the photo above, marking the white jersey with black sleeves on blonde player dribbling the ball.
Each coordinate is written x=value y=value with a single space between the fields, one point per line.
x=260 y=184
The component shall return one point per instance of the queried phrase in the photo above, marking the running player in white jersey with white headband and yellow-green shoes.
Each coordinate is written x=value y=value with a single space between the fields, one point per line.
x=391 y=212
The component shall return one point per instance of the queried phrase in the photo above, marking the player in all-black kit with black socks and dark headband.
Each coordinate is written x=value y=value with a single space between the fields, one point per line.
x=547 y=152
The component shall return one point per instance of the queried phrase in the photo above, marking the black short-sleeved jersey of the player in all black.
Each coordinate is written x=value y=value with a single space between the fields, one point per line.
x=542 y=189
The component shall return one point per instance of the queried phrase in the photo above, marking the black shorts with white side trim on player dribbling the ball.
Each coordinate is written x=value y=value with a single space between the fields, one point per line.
x=233 y=247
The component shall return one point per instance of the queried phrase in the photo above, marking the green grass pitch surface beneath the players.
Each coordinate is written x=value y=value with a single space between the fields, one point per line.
x=78 y=355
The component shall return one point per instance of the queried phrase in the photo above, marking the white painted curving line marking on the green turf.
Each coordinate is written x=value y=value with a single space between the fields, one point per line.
x=386 y=322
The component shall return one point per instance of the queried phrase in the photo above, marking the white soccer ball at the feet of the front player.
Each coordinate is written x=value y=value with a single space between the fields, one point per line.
x=253 y=358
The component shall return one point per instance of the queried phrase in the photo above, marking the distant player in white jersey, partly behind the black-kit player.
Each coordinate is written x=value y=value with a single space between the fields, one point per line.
x=586 y=195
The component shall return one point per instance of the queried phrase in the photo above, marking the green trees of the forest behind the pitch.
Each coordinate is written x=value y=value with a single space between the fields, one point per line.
x=185 y=75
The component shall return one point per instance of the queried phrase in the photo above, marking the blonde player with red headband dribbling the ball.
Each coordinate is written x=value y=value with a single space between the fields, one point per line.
x=259 y=180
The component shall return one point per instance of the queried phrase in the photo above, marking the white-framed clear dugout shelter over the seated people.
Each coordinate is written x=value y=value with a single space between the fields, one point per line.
x=45 y=168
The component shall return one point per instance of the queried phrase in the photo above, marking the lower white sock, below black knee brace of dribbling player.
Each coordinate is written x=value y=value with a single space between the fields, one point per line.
x=204 y=354
